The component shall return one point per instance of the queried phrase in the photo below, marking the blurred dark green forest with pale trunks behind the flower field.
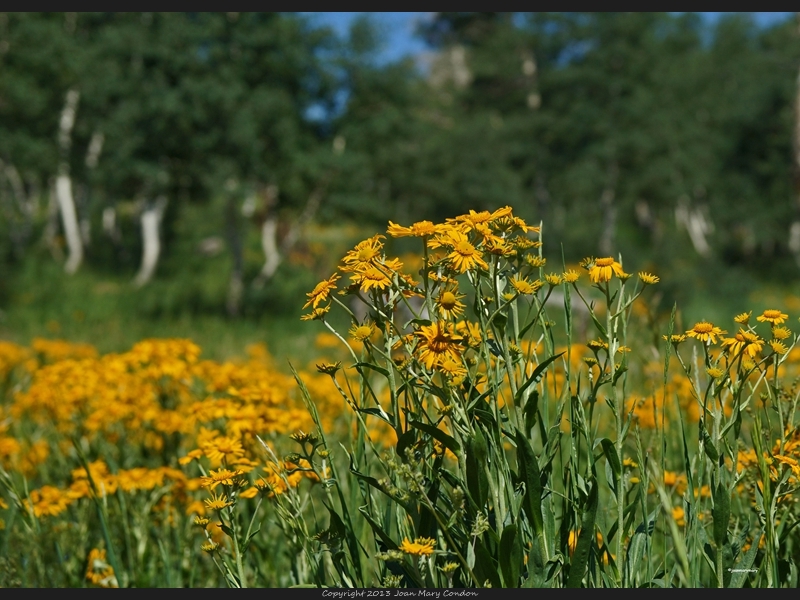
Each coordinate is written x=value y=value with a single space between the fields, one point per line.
x=195 y=174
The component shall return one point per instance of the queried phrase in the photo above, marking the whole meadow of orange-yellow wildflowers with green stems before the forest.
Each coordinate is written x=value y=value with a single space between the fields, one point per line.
x=476 y=417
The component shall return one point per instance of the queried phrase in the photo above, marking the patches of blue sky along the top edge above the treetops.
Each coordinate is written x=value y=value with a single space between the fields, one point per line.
x=398 y=28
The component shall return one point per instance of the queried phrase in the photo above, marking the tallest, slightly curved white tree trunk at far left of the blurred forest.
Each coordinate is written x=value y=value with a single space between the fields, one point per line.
x=66 y=202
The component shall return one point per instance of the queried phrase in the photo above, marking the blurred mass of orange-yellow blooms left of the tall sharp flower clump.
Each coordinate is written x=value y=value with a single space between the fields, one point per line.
x=153 y=410
